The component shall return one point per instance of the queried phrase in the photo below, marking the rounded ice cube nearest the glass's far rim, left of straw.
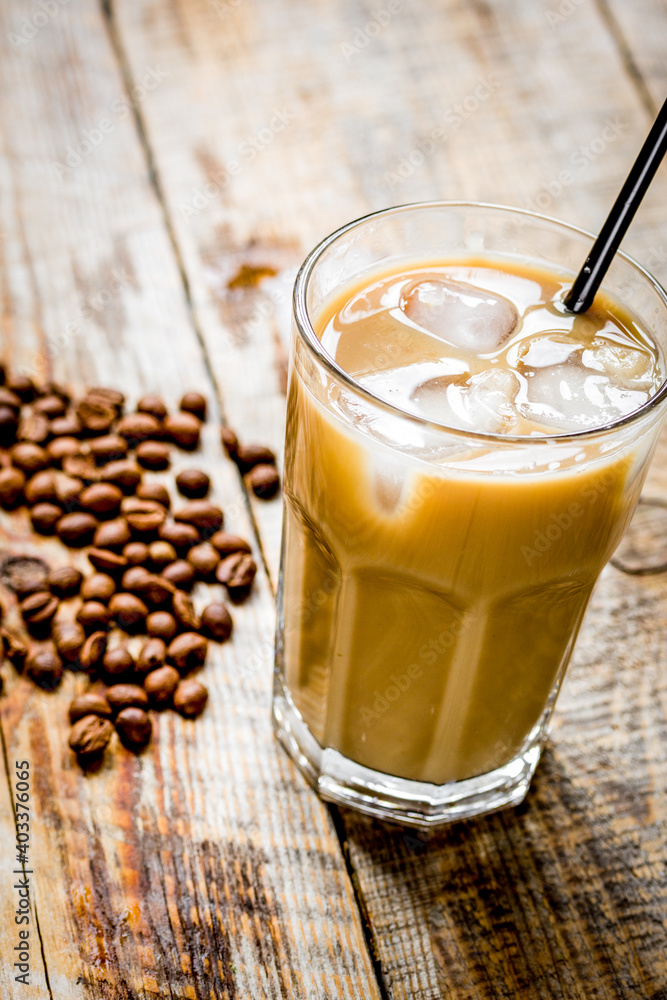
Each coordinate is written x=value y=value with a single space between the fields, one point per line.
x=461 y=314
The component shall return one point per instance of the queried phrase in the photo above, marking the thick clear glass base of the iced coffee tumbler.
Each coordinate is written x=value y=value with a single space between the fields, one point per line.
x=338 y=779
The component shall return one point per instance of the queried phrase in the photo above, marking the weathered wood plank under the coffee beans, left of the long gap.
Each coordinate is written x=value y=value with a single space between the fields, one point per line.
x=201 y=868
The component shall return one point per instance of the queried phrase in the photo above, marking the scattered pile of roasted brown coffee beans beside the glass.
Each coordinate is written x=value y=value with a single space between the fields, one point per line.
x=79 y=466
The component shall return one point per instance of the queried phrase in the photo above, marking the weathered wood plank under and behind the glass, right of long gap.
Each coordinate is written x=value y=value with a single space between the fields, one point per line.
x=566 y=898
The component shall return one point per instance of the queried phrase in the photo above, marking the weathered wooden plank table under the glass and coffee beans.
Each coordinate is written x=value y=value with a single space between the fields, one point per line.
x=150 y=154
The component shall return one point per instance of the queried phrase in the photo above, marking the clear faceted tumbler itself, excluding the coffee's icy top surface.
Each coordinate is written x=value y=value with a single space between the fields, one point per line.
x=433 y=580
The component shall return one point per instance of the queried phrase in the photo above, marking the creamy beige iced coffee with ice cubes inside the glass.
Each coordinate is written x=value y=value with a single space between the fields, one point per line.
x=432 y=591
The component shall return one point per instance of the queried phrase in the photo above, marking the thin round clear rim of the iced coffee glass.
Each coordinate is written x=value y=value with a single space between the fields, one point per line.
x=314 y=344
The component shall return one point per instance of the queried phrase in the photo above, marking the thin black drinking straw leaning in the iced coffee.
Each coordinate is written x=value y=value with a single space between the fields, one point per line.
x=587 y=282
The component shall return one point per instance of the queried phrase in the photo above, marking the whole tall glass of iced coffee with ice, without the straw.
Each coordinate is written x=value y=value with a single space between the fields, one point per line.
x=462 y=457
